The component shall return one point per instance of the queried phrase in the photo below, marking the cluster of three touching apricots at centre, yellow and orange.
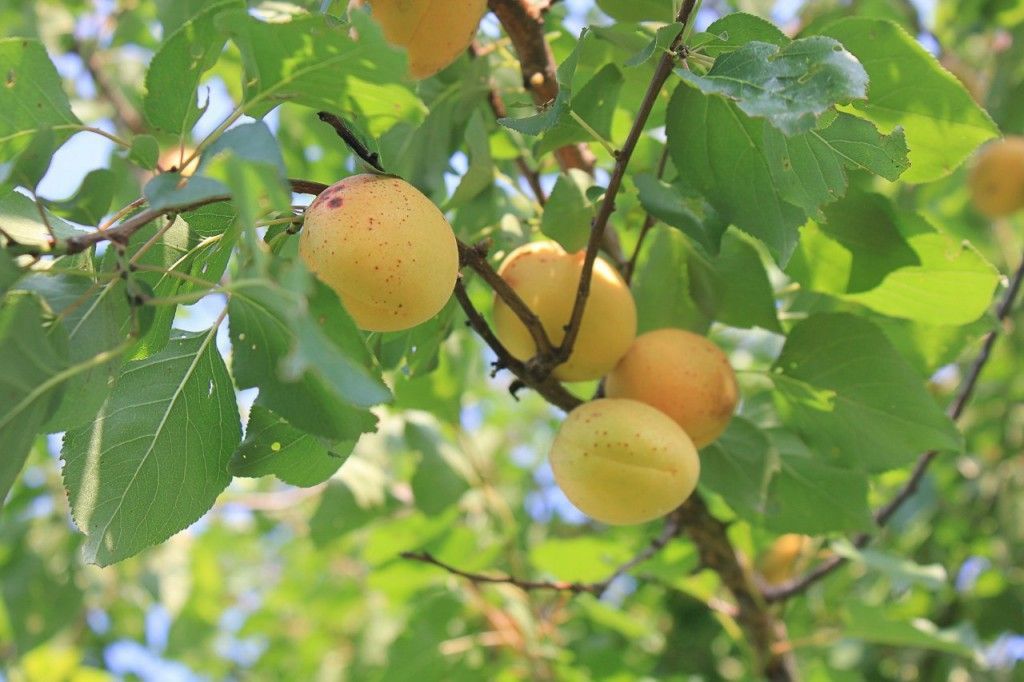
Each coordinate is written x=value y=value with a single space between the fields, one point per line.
x=631 y=457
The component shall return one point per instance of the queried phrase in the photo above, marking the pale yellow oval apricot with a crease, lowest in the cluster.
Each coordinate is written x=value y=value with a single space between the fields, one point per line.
x=624 y=462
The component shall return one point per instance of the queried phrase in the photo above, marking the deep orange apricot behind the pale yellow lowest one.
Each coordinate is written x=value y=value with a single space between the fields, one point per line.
x=682 y=374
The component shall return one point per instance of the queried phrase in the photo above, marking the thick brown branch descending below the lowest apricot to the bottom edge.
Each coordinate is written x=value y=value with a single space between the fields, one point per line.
x=763 y=630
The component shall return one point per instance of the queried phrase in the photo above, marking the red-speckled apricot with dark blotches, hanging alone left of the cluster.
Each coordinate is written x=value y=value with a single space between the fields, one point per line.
x=385 y=248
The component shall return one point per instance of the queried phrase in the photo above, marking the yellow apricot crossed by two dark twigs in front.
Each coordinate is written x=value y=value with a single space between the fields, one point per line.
x=546 y=278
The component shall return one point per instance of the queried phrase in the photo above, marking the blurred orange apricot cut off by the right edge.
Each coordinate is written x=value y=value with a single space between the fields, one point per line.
x=997 y=181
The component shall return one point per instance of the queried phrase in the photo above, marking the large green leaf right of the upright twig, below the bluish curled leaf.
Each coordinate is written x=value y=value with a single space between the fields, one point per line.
x=723 y=153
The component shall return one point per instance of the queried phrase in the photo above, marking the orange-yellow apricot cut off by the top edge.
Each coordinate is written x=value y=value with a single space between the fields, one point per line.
x=434 y=32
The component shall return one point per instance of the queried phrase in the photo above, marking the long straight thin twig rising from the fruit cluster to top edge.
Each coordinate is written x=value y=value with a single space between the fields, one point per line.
x=662 y=73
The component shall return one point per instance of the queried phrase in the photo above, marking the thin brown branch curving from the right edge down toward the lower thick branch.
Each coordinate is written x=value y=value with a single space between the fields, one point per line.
x=885 y=514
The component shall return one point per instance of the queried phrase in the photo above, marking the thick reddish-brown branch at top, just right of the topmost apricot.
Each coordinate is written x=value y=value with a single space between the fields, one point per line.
x=524 y=22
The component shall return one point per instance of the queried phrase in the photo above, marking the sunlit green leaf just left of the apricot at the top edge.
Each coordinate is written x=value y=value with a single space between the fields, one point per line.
x=314 y=61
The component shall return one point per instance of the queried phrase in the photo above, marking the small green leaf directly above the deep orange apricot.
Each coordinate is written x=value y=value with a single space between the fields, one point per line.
x=662 y=285
